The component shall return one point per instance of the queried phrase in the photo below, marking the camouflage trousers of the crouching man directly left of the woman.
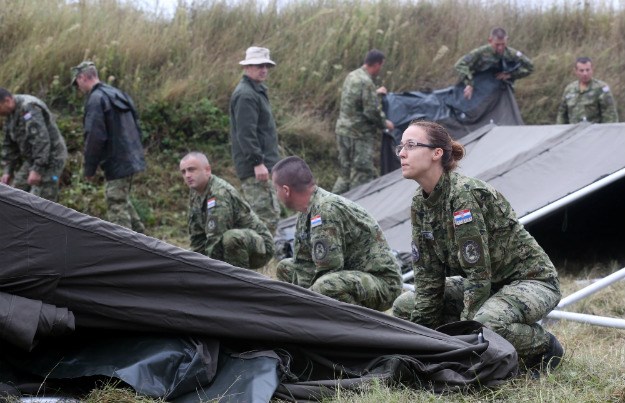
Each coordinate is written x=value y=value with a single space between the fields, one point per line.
x=351 y=286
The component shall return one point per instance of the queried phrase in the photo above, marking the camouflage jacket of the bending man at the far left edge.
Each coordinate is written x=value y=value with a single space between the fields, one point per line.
x=30 y=134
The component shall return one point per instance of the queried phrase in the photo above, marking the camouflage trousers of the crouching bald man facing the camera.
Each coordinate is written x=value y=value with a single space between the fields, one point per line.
x=244 y=248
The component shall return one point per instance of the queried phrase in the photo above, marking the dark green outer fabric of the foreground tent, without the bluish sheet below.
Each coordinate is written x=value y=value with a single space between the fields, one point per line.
x=97 y=275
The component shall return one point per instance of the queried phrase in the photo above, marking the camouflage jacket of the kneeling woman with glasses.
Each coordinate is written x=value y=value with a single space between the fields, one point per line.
x=465 y=227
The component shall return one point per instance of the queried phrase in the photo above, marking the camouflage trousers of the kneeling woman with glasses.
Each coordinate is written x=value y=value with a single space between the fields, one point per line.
x=512 y=311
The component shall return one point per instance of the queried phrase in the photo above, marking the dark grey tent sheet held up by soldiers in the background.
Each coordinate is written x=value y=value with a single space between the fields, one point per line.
x=493 y=101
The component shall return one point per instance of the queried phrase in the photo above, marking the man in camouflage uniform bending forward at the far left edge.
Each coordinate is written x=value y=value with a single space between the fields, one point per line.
x=33 y=151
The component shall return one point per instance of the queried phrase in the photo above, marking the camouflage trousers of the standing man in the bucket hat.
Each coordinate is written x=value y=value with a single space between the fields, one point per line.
x=262 y=198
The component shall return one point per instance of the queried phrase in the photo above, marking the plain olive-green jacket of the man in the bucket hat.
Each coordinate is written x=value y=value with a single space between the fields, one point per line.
x=253 y=134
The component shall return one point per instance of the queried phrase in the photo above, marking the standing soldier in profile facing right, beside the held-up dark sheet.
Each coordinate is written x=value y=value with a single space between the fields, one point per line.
x=360 y=123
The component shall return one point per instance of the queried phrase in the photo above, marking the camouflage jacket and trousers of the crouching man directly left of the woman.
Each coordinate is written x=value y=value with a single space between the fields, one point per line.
x=340 y=251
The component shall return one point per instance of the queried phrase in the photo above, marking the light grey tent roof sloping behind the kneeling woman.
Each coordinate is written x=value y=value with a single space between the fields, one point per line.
x=533 y=166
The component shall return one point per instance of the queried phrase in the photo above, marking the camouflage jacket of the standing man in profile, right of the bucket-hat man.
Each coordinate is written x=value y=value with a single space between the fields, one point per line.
x=361 y=114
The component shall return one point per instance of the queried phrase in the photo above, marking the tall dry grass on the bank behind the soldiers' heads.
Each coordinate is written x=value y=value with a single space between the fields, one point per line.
x=315 y=43
